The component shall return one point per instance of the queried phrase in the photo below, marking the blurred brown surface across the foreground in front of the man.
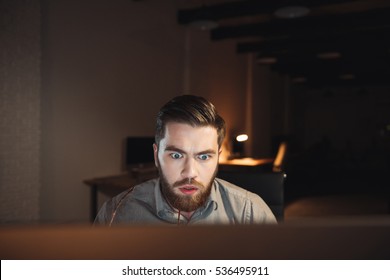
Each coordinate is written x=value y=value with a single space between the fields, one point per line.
x=321 y=240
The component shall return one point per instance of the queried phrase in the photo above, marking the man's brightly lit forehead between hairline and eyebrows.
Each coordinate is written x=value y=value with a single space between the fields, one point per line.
x=186 y=135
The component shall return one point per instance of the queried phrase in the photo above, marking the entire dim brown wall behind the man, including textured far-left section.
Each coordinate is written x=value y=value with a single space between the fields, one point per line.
x=81 y=76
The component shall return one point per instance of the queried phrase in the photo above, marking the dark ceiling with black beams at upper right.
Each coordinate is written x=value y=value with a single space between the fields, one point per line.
x=355 y=34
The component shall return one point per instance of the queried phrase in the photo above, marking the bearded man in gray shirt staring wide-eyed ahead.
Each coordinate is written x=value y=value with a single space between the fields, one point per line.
x=188 y=141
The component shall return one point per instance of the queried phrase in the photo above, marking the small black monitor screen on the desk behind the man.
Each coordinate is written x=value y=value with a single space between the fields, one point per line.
x=139 y=150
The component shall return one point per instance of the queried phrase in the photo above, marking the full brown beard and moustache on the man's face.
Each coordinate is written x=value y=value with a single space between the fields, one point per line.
x=186 y=203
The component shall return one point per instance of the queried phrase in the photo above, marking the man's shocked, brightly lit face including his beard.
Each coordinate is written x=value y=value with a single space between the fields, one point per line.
x=187 y=159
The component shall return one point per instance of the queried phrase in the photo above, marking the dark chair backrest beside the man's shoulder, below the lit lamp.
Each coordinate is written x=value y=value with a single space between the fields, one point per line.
x=269 y=186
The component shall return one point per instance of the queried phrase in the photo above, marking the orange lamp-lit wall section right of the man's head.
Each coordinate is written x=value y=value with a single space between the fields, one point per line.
x=251 y=98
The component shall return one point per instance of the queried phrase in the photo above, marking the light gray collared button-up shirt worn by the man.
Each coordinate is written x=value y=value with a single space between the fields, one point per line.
x=145 y=204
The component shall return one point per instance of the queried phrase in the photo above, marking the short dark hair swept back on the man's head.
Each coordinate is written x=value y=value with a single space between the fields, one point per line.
x=192 y=110
